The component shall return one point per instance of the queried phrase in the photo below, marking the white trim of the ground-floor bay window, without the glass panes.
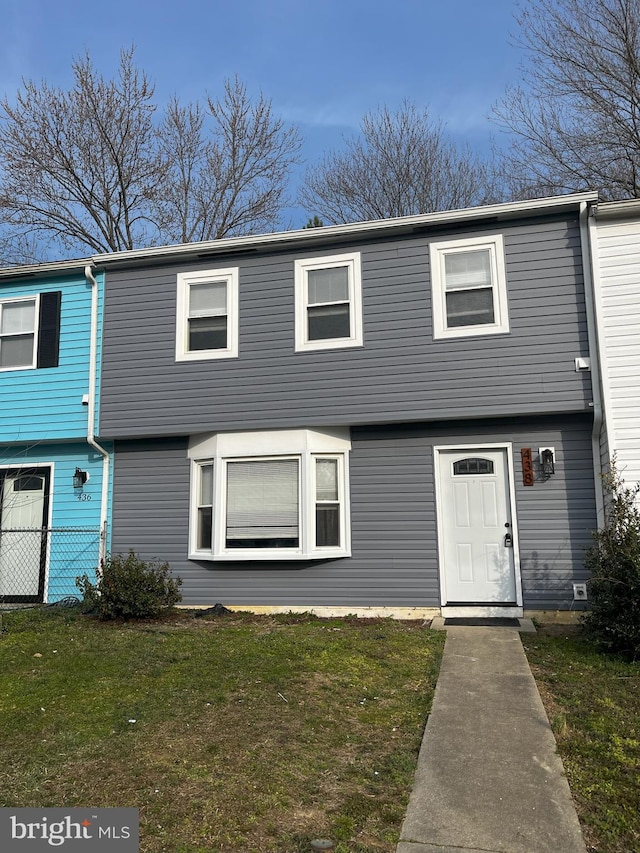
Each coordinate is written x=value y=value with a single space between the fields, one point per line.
x=304 y=445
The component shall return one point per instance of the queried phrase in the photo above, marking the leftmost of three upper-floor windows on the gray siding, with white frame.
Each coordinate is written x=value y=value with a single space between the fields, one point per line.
x=207 y=315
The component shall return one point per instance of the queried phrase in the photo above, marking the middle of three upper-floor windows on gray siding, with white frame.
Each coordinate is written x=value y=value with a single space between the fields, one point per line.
x=328 y=302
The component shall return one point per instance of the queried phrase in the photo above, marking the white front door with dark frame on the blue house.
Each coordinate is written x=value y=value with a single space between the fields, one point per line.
x=23 y=512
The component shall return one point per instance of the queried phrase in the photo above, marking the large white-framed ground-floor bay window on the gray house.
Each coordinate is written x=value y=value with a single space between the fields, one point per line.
x=270 y=496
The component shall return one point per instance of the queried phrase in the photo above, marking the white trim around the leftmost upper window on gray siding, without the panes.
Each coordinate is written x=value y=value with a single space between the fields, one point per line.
x=231 y=276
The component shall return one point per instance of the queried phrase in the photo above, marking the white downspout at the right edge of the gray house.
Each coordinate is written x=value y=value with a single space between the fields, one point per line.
x=590 y=270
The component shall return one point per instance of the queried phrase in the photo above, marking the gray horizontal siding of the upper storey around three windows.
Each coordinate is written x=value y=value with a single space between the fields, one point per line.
x=400 y=374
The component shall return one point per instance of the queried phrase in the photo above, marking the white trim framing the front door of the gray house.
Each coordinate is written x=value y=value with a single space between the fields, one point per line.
x=477 y=611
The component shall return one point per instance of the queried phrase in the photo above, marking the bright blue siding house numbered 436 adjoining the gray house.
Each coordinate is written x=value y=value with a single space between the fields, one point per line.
x=54 y=474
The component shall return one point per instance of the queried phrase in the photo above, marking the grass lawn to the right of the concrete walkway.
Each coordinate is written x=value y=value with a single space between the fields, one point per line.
x=593 y=703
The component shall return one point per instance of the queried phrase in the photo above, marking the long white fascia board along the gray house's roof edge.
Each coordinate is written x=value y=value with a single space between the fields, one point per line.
x=327 y=233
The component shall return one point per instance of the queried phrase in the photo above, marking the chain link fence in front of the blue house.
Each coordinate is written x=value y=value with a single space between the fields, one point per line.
x=42 y=564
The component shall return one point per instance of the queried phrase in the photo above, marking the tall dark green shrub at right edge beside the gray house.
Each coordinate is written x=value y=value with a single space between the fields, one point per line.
x=614 y=563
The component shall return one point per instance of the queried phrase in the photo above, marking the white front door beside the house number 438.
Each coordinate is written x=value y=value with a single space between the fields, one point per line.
x=476 y=536
